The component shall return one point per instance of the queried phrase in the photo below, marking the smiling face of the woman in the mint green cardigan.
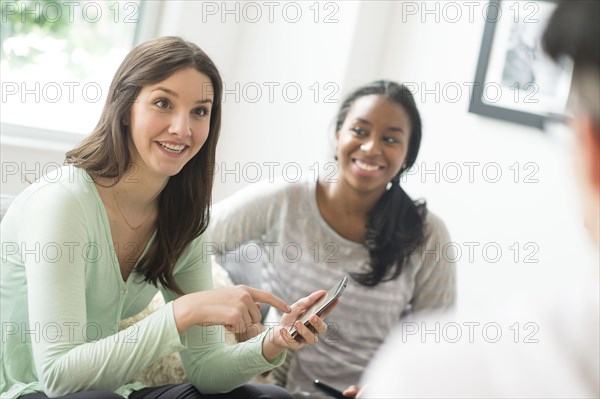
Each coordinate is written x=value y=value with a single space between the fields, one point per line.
x=170 y=121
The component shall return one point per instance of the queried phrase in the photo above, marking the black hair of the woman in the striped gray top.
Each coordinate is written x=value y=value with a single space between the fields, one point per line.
x=395 y=226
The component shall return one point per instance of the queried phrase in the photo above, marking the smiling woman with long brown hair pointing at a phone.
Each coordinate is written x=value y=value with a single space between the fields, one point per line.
x=91 y=245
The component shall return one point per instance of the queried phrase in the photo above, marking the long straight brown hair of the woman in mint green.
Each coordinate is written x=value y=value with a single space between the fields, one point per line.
x=184 y=203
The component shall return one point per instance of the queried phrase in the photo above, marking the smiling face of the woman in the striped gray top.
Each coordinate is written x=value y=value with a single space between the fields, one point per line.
x=372 y=143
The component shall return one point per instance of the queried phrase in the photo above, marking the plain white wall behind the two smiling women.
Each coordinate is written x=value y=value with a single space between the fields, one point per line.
x=379 y=39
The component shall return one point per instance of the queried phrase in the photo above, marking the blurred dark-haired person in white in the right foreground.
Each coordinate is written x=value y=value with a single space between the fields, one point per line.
x=561 y=356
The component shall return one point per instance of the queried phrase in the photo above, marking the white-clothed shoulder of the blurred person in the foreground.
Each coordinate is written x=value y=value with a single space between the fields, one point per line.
x=545 y=344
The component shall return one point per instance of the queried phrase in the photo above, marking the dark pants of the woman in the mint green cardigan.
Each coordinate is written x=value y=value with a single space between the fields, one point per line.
x=182 y=391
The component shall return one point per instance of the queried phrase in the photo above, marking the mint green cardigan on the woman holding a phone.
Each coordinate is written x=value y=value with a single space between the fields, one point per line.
x=62 y=297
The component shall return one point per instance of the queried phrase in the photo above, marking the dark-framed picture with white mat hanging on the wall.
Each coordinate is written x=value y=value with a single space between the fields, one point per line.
x=515 y=80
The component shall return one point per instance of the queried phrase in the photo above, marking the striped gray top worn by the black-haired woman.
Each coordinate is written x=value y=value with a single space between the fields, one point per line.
x=278 y=228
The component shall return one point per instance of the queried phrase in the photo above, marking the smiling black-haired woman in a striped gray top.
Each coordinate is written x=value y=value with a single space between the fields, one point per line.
x=360 y=223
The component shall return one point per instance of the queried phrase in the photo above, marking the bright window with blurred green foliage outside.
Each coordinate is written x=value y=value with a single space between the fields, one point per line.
x=57 y=61
